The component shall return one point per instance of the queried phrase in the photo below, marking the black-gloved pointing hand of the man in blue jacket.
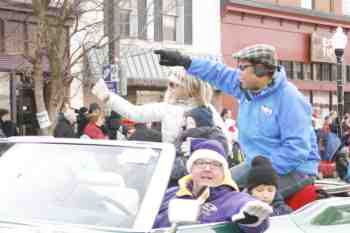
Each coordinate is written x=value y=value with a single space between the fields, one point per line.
x=173 y=58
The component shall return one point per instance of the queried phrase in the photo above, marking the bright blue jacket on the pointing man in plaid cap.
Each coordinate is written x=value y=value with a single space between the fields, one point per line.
x=275 y=123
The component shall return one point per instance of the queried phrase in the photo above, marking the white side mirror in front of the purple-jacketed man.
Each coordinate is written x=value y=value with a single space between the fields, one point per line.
x=182 y=211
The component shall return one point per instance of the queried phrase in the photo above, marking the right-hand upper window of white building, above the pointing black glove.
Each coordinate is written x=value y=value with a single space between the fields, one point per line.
x=165 y=20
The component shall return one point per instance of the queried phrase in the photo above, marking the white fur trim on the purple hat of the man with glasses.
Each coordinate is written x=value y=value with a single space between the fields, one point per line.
x=205 y=154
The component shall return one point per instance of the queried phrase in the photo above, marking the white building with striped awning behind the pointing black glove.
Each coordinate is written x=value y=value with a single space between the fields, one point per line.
x=190 y=26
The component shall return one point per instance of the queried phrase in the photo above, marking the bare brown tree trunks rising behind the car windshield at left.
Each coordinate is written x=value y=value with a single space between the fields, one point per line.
x=56 y=22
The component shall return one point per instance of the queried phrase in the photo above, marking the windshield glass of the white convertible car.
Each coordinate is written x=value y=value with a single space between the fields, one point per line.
x=74 y=183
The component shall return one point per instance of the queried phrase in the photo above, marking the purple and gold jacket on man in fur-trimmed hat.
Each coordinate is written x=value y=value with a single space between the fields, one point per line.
x=220 y=204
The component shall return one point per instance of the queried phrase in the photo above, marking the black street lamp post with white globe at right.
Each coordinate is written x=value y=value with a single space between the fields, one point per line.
x=339 y=41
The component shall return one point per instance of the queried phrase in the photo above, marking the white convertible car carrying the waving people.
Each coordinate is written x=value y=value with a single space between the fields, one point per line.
x=73 y=185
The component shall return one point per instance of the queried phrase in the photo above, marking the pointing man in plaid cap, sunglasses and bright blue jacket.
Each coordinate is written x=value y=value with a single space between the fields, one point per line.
x=274 y=118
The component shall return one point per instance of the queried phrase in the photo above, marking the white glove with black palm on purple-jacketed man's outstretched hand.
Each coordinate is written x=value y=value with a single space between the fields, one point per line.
x=253 y=213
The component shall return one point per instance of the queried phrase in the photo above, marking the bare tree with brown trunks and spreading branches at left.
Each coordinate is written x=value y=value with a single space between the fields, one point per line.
x=59 y=25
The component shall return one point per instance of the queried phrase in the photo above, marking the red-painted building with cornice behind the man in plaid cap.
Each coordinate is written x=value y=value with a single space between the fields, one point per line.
x=301 y=31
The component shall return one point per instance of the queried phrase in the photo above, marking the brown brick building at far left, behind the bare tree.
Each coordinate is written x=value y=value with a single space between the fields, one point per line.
x=17 y=36
